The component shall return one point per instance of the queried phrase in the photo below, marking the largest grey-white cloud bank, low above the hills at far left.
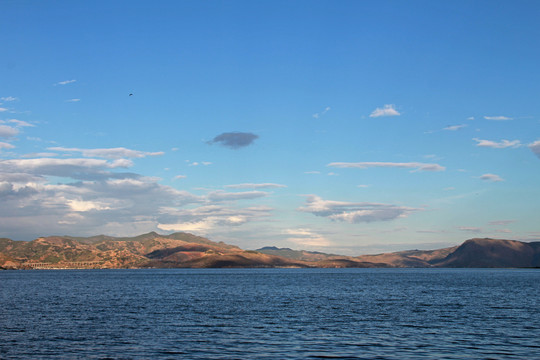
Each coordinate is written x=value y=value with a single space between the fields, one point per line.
x=111 y=201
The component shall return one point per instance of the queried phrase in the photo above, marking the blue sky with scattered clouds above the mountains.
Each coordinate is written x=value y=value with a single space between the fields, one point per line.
x=349 y=127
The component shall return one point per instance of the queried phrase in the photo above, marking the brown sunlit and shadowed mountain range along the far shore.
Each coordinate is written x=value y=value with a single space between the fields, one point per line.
x=184 y=250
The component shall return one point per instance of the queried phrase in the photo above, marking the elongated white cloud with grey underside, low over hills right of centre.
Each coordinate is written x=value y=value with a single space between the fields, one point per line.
x=354 y=212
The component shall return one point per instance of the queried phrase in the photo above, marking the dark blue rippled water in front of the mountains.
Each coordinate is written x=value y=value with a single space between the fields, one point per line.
x=270 y=314
